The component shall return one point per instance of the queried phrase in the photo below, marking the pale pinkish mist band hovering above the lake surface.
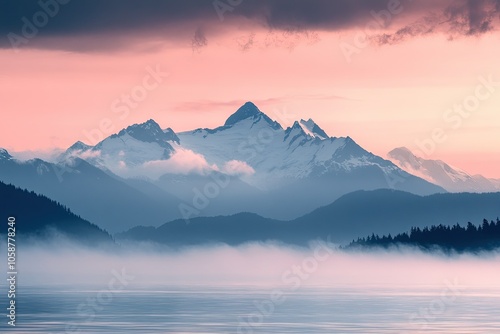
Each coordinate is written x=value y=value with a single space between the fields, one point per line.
x=255 y=264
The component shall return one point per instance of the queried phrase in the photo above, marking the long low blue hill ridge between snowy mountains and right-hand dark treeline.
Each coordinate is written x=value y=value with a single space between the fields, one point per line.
x=353 y=215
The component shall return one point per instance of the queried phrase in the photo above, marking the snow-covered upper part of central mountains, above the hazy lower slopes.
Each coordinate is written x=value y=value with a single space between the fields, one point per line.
x=249 y=141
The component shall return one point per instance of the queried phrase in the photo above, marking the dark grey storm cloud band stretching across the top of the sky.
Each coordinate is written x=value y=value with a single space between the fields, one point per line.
x=101 y=24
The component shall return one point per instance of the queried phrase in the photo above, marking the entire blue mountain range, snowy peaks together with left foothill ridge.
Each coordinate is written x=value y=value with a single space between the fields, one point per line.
x=148 y=175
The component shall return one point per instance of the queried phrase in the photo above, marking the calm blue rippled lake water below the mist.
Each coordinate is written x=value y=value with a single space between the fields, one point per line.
x=253 y=309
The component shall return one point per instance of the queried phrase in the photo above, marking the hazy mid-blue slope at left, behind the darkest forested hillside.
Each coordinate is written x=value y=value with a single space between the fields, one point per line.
x=90 y=192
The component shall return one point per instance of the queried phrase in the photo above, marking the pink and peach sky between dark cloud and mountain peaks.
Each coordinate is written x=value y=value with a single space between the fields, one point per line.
x=385 y=97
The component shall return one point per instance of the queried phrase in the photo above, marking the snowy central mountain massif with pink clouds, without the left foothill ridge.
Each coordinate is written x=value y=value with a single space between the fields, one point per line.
x=276 y=172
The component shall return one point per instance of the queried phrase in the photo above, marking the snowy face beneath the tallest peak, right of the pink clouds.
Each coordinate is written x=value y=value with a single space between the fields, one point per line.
x=276 y=154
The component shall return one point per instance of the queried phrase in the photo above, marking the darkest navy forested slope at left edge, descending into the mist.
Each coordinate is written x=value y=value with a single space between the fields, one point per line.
x=36 y=215
